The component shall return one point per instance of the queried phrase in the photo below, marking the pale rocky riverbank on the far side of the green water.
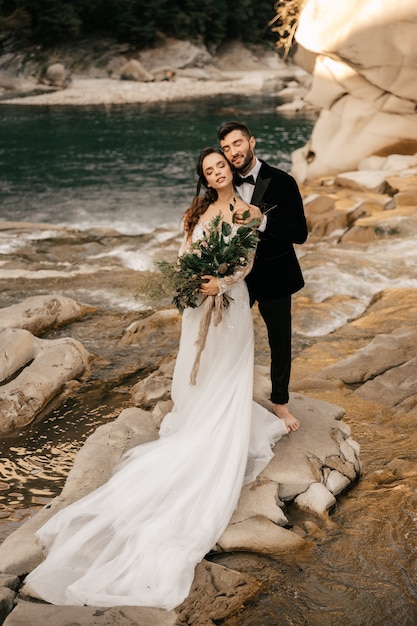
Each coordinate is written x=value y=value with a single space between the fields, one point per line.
x=109 y=73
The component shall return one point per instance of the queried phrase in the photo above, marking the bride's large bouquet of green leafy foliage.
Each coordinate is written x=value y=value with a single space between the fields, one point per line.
x=219 y=253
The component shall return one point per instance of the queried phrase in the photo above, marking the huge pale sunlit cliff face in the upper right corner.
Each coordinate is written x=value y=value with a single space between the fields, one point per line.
x=364 y=82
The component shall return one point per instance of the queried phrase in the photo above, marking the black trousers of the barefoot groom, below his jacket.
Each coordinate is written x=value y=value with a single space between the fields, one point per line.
x=277 y=317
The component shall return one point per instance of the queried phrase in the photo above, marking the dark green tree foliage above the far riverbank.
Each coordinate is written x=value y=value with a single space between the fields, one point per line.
x=138 y=21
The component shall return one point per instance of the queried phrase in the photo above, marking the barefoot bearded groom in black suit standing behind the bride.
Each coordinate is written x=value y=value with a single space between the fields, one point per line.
x=275 y=199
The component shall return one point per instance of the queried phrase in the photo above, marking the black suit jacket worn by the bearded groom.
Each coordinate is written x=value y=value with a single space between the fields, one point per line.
x=276 y=271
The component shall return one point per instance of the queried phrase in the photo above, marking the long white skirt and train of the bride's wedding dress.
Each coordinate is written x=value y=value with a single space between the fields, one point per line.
x=137 y=539
